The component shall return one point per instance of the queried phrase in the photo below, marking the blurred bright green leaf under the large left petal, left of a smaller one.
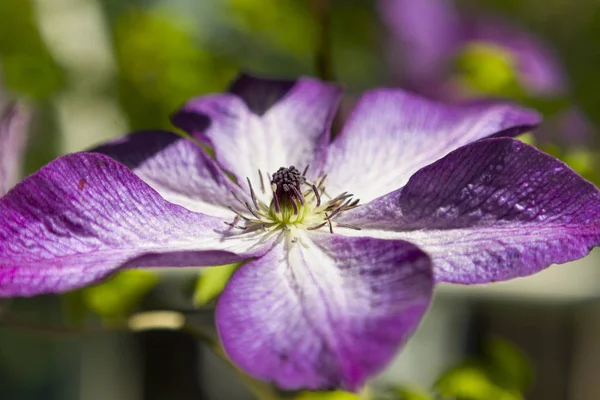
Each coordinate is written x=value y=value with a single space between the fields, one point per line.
x=120 y=295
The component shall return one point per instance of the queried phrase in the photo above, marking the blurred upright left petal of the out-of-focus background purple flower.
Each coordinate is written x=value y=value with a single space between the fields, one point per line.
x=426 y=33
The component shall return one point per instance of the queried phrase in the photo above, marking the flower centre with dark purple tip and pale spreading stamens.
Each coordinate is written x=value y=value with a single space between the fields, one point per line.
x=296 y=203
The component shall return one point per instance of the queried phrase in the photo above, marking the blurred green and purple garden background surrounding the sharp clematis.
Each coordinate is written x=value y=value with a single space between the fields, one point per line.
x=90 y=70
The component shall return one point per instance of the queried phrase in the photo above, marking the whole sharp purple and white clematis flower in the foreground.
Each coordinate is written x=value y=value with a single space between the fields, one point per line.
x=343 y=240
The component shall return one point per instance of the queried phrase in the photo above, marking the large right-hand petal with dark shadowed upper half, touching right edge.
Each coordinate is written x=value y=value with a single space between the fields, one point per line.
x=490 y=211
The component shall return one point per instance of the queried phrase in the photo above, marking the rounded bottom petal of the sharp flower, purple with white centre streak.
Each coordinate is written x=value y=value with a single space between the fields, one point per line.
x=327 y=312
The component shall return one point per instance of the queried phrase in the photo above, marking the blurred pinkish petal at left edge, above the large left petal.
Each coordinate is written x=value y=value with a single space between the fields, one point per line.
x=13 y=136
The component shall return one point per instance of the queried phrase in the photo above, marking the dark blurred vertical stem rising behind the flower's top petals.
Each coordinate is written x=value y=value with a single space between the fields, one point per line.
x=323 y=57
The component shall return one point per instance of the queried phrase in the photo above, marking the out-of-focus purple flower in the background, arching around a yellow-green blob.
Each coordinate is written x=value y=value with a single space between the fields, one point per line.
x=429 y=35
